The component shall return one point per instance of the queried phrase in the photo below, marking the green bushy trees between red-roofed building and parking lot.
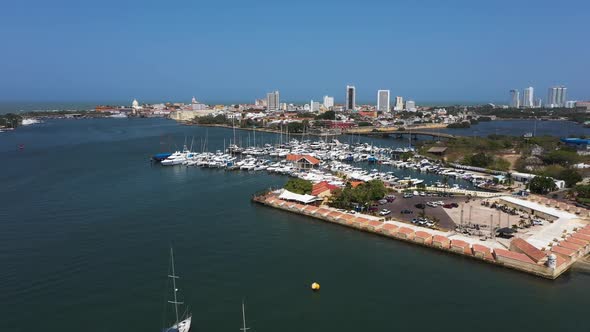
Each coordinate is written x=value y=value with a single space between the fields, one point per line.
x=362 y=194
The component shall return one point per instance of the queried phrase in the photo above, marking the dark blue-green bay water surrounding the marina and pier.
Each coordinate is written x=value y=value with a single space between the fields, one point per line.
x=86 y=223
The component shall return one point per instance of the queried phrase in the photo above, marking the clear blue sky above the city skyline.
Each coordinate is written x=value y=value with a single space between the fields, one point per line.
x=230 y=51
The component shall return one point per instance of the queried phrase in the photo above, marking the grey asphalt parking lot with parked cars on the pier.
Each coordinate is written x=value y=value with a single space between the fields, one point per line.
x=439 y=213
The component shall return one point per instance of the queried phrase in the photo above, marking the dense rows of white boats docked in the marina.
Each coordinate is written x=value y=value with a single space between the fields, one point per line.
x=337 y=161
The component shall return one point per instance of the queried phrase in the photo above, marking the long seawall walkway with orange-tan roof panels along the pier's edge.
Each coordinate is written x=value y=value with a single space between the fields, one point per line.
x=521 y=257
